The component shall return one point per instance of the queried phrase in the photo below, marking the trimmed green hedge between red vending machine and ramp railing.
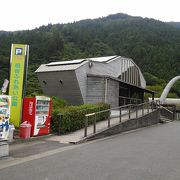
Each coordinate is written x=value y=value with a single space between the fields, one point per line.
x=73 y=117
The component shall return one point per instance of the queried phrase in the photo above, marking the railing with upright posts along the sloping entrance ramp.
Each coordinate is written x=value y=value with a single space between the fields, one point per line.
x=130 y=108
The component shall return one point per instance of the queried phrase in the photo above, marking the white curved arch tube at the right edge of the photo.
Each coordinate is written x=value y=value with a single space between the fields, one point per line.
x=167 y=89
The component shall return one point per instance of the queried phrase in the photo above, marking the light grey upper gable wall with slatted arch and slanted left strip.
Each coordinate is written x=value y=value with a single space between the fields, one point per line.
x=114 y=68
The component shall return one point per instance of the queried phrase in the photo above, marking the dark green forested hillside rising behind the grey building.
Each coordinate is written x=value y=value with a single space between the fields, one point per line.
x=152 y=44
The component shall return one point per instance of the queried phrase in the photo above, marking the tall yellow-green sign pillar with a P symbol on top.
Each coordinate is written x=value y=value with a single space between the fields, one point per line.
x=18 y=74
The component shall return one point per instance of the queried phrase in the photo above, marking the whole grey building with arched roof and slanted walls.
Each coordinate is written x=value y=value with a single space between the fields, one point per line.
x=114 y=79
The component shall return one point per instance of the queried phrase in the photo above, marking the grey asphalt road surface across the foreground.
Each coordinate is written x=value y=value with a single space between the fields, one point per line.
x=151 y=153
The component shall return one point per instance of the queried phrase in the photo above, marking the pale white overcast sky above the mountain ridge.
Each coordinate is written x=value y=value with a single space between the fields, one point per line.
x=29 y=14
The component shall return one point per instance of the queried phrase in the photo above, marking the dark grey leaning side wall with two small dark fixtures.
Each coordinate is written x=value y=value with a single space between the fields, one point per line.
x=62 y=84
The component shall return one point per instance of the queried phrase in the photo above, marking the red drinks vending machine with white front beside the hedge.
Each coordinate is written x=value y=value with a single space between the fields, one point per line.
x=37 y=111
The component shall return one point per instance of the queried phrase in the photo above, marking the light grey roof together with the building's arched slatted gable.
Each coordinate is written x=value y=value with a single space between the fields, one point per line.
x=116 y=66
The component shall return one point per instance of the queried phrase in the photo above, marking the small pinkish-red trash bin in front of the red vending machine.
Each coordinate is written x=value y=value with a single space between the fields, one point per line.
x=25 y=130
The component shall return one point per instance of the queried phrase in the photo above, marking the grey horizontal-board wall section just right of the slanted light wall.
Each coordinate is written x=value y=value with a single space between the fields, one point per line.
x=95 y=89
